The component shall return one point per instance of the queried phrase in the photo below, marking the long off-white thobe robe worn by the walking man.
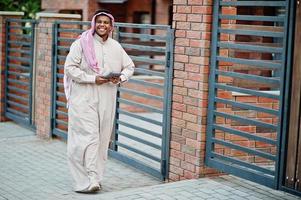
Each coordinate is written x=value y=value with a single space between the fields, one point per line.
x=92 y=108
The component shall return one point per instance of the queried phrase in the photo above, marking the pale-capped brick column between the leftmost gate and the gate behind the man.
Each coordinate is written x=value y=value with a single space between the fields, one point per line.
x=43 y=71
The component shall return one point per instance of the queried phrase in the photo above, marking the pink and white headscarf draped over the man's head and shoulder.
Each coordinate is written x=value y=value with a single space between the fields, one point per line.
x=86 y=41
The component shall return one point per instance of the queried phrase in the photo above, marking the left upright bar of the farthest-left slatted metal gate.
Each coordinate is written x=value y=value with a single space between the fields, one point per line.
x=7 y=24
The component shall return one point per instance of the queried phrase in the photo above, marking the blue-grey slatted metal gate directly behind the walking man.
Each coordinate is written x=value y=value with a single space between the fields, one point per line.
x=142 y=123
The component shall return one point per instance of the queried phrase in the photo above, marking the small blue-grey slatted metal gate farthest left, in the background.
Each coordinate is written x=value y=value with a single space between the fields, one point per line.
x=19 y=70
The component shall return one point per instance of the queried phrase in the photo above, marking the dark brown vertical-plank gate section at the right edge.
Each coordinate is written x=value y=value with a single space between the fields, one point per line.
x=292 y=159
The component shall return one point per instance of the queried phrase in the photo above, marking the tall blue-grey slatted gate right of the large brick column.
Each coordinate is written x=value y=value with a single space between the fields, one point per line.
x=247 y=76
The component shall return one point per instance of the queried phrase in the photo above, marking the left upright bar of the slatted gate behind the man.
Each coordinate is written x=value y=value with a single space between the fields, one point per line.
x=54 y=74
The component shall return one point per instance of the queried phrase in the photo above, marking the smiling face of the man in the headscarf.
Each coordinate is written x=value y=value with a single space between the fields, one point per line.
x=103 y=26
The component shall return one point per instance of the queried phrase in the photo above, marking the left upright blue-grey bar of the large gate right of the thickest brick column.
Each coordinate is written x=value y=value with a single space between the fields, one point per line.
x=212 y=80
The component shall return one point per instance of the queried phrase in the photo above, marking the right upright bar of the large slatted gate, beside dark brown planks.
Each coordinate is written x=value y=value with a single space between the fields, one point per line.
x=282 y=95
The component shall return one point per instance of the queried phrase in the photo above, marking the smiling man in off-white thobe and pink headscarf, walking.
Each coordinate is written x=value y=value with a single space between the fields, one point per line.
x=91 y=99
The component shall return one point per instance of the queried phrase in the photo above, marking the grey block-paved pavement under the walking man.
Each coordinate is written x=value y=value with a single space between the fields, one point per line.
x=31 y=168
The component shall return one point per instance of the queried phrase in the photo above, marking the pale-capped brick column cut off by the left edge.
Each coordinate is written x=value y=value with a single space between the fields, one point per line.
x=4 y=15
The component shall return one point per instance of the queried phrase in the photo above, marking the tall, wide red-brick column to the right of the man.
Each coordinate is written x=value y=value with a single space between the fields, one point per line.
x=192 y=21
